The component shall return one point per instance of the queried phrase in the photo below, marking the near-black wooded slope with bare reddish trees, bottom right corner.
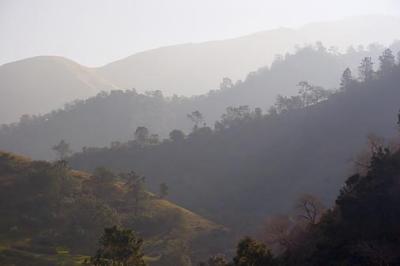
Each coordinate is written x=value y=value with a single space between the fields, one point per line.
x=360 y=229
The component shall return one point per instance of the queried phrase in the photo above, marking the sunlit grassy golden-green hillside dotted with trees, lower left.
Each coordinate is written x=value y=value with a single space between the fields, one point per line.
x=53 y=215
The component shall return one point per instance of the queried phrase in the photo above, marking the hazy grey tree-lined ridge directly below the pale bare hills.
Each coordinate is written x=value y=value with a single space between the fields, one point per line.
x=114 y=116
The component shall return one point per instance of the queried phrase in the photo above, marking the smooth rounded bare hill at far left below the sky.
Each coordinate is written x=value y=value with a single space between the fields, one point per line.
x=40 y=84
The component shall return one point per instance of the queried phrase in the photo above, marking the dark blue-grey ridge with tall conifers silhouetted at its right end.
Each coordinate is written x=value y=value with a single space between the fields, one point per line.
x=252 y=165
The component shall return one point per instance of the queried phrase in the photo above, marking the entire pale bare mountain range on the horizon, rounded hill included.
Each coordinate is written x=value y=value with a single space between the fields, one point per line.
x=186 y=69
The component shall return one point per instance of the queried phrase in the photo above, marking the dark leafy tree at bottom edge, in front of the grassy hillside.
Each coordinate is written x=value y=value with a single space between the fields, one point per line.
x=119 y=247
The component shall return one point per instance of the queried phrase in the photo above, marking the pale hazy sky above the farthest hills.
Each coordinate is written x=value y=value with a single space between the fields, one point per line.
x=95 y=32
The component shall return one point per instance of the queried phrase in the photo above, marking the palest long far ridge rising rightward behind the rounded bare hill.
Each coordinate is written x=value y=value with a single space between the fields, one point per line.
x=190 y=69
